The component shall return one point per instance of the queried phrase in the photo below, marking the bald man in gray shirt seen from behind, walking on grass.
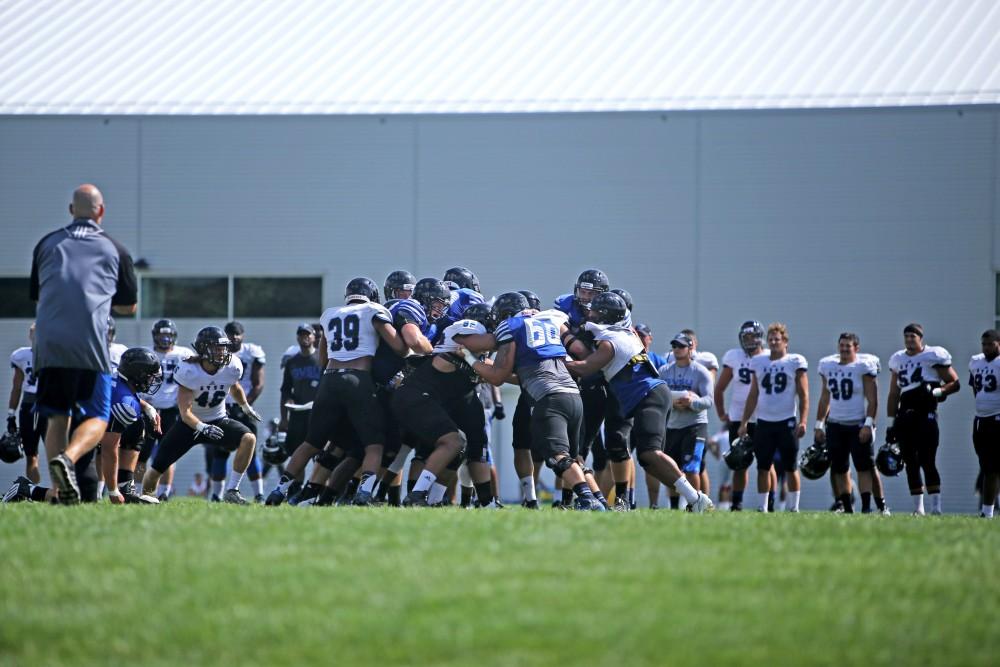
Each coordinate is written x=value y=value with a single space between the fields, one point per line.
x=79 y=275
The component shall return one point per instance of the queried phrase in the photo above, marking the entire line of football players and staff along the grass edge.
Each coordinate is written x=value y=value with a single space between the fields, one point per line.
x=375 y=383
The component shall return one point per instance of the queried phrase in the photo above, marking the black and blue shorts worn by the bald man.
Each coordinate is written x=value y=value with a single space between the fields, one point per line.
x=75 y=392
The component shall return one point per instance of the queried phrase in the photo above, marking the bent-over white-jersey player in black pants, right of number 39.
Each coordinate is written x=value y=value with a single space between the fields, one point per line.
x=438 y=403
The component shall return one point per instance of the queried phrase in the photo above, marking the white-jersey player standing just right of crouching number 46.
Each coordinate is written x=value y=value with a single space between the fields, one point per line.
x=252 y=358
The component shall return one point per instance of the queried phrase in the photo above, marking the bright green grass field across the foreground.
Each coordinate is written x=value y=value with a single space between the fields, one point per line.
x=192 y=583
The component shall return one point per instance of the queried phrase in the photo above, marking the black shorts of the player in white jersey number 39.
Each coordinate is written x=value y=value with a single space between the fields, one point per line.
x=346 y=395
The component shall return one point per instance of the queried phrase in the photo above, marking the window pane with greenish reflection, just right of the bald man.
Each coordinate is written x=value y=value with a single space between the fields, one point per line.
x=185 y=297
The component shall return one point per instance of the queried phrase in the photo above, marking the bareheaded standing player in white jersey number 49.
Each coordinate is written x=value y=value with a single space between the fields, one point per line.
x=777 y=379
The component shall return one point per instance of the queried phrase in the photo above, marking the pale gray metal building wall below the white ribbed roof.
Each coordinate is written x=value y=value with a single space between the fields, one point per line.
x=826 y=220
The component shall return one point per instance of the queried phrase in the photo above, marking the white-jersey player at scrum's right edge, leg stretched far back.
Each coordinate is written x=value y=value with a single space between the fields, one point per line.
x=641 y=394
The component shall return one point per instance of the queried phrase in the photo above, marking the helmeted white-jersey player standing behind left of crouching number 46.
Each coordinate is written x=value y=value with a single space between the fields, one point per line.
x=164 y=333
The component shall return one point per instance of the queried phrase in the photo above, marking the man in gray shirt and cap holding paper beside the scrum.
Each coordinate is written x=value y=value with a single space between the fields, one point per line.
x=691 y=391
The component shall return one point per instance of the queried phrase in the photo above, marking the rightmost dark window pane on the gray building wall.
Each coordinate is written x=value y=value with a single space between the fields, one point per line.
x=277 y=297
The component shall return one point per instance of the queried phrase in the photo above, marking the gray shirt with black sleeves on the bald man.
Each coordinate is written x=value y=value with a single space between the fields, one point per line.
x=77 y=274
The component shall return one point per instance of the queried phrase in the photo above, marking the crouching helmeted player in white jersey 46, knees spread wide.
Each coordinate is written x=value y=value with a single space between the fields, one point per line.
x=204 y=381
